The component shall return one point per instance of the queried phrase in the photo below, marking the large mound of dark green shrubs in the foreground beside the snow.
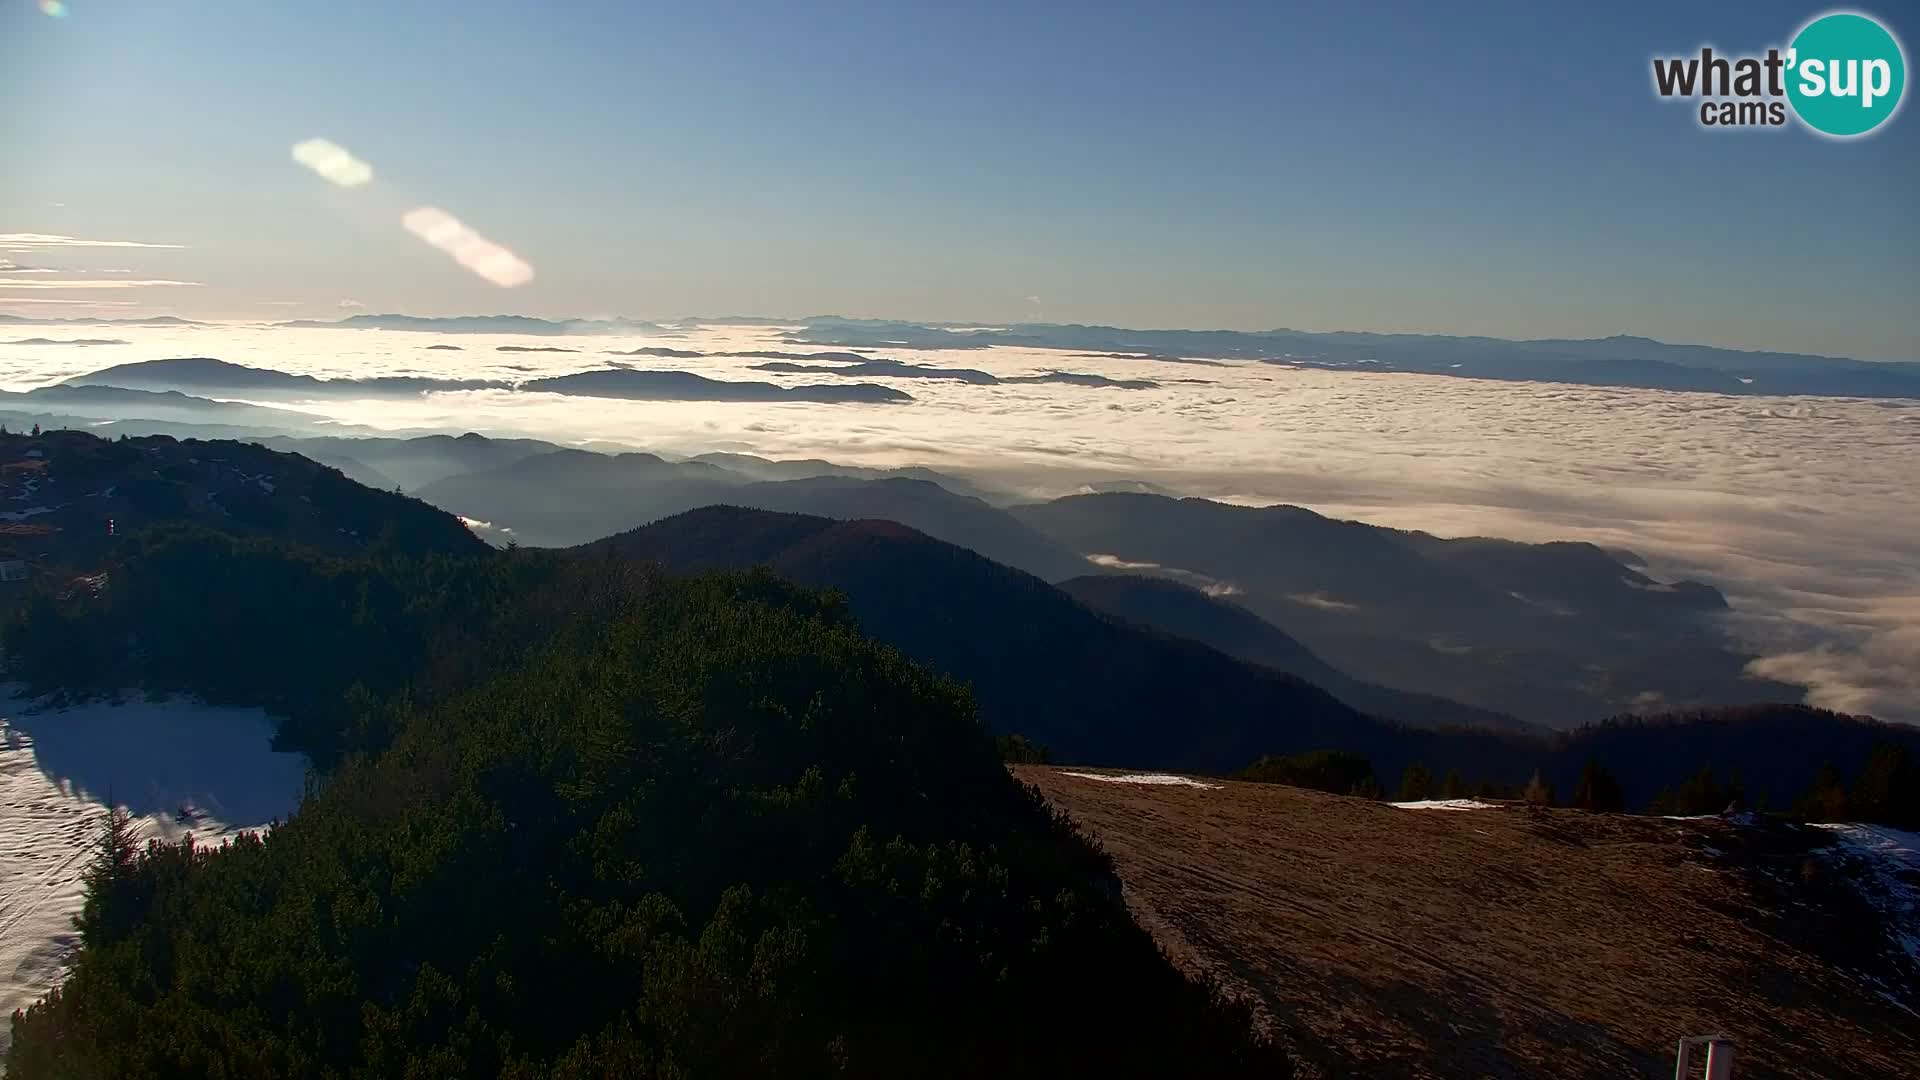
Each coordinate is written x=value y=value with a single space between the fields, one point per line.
x=721 y=835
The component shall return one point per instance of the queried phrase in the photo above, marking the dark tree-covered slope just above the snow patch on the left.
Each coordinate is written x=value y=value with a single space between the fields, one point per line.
x=316 y=639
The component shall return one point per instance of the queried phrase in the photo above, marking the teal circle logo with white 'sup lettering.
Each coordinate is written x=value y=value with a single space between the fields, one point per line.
x=1846 y=74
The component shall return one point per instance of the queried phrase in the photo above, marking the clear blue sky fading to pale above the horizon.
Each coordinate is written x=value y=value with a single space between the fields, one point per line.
x=1464 y=168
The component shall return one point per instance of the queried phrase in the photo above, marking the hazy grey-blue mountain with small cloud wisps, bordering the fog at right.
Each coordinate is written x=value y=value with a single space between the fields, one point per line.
x=1550 y=633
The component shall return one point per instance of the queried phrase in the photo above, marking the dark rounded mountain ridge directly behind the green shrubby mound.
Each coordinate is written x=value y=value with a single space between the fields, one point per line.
x=1040 y=662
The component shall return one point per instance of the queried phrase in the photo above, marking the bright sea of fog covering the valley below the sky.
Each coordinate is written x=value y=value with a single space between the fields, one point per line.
x=1802 y=510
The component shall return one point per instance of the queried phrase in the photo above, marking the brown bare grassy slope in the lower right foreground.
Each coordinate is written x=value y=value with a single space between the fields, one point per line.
x=1506 y=943
